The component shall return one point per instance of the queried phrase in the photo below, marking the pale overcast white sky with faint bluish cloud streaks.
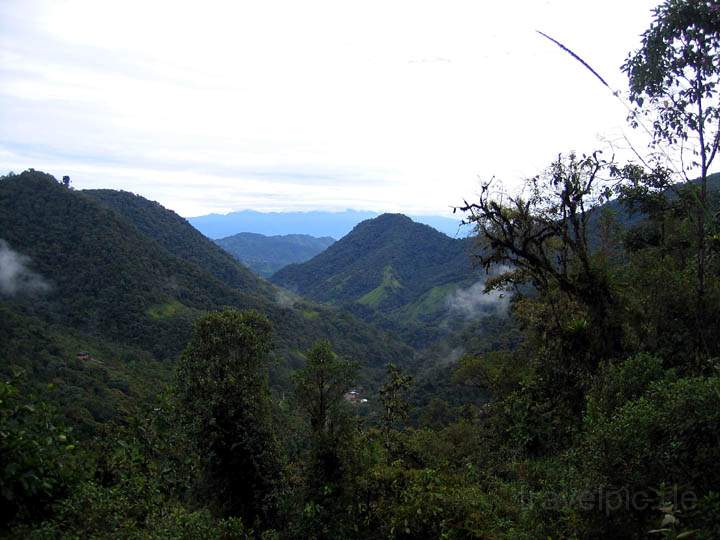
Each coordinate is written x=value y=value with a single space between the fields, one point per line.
x=315 y=105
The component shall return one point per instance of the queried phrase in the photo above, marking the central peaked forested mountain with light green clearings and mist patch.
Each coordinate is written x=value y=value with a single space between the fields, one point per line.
x=401 y=275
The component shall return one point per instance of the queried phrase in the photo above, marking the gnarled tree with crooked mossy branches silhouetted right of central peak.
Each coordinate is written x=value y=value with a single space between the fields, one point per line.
x=543 y=237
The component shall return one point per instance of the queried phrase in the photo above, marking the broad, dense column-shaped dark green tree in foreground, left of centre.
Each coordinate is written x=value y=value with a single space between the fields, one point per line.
x=222 y=394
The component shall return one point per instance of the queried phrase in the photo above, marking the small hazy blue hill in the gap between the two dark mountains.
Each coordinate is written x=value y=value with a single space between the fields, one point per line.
x=265 y=255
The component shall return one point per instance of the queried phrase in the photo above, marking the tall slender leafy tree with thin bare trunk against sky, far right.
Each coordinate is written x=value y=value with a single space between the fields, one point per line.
x=674 y=79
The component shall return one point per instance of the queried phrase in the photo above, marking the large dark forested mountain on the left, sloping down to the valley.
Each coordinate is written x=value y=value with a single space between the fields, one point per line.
x=122 y=279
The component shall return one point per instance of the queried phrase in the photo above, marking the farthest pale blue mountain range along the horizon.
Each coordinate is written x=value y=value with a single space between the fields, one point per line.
x=319 y=224
